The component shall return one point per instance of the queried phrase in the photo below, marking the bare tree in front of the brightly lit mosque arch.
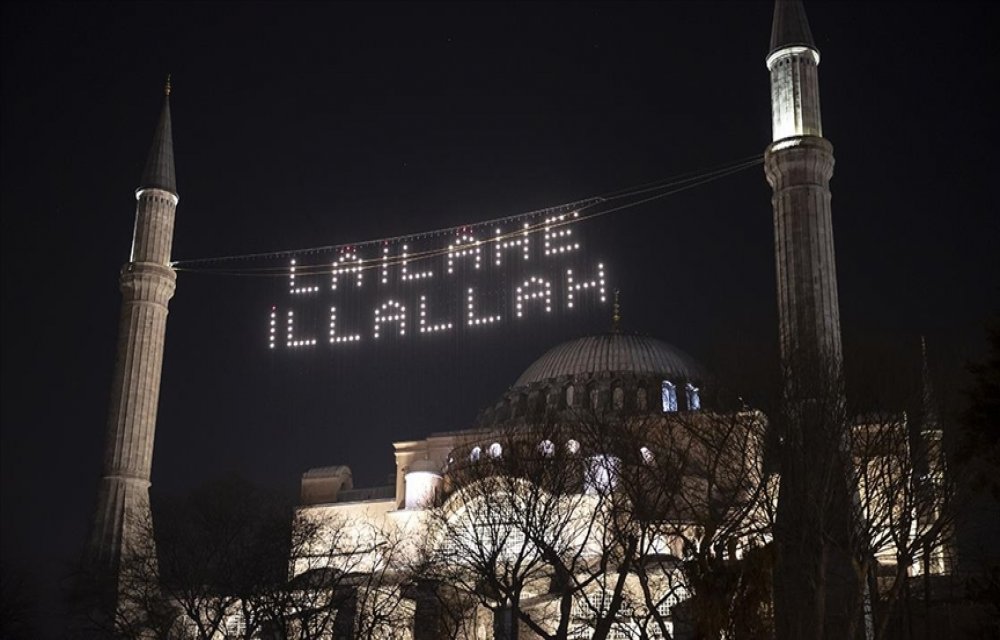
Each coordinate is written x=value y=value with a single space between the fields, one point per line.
x=523 y=531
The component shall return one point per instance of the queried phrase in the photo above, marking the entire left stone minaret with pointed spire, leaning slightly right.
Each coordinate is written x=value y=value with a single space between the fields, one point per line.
x=147 y=284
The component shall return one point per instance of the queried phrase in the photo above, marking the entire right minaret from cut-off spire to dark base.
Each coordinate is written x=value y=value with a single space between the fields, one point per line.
x=815 y=588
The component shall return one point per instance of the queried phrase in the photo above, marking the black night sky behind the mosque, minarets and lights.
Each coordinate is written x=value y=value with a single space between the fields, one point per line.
x=297 y=125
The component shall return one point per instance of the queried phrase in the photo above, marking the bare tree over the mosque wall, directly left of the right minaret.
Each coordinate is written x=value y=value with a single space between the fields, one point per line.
x=689 y=514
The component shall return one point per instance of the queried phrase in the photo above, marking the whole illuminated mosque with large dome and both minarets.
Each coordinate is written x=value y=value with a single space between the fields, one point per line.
x=602 y=490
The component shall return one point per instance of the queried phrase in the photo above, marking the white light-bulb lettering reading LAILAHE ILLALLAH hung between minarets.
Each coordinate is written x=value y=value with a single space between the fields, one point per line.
x=510 y=246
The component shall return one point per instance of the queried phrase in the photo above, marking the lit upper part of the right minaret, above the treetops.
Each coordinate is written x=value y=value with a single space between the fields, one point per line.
x=799 y=165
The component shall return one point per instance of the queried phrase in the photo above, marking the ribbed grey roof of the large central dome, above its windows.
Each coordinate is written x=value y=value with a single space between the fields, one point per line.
x=615 y=353
